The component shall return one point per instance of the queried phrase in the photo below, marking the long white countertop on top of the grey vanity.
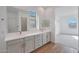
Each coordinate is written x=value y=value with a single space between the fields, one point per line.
x=17 y=35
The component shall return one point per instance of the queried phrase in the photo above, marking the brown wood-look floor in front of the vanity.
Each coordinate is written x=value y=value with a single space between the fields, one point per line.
x=48 y=48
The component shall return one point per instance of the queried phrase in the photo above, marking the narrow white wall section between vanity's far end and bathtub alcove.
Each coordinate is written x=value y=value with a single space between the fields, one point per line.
x=51 y=16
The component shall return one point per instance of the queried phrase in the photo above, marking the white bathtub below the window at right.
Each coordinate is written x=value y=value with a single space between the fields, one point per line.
x=68 y=40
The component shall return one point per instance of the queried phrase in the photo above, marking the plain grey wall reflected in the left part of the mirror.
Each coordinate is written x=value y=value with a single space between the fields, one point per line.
x=12 y=19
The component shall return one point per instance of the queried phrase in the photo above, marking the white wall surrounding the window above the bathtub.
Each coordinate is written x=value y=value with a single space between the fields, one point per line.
x=61 y=14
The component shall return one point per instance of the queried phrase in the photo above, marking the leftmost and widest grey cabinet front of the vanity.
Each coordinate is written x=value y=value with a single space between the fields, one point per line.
x=15 y=46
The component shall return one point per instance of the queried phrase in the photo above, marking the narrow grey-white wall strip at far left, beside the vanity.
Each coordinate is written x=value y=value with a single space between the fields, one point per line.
x=2 y=29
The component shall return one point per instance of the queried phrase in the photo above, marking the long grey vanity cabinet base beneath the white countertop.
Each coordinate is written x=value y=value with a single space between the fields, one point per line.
x=28 y=43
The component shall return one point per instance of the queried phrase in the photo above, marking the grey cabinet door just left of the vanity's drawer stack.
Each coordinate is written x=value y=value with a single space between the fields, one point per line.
x=29 y=44
